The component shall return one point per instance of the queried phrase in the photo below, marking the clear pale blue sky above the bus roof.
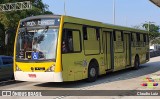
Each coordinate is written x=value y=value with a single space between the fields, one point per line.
x=127 y=12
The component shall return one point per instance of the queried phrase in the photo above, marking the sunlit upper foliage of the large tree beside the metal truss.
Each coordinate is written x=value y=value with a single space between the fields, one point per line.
x=11 y=19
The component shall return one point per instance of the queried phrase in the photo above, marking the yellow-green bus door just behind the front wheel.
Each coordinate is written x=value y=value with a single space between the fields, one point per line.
x=107 y=50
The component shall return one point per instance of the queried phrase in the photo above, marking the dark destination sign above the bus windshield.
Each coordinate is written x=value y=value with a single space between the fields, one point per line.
x=41 y=22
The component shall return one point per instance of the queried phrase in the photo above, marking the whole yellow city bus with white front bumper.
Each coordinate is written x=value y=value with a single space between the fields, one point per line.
x=57 y=48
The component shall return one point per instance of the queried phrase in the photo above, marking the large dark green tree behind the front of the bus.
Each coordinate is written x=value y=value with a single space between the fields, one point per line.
x=10 y=20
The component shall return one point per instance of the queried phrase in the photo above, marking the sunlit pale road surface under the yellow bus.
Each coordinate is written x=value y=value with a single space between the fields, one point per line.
x=122 y=80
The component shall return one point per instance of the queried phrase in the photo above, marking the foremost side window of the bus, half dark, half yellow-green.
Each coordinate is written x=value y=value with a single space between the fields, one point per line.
x=70 y=41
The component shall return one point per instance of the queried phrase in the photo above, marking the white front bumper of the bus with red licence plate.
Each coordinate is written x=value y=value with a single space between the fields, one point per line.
x=38 y=76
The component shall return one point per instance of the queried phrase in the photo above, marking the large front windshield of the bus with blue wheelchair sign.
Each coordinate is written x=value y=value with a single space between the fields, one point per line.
x=36 y=44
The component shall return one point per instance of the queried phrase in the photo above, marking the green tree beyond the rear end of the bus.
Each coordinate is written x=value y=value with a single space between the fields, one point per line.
x=153 y=33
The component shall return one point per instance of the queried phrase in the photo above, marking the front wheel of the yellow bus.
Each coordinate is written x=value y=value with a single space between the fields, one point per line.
x=92 y=72
